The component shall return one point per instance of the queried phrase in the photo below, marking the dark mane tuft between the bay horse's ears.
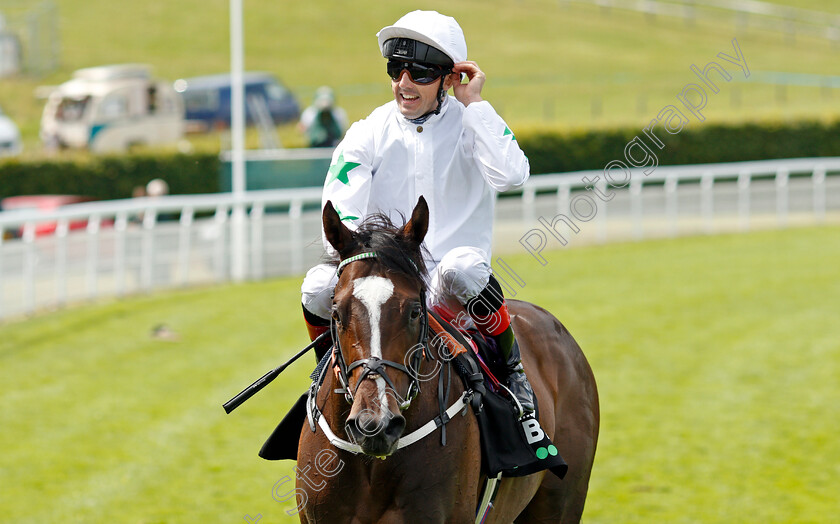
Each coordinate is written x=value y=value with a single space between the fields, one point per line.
x=379 y=233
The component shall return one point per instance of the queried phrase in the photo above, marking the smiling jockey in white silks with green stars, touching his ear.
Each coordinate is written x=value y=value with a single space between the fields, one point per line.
x=457 y=152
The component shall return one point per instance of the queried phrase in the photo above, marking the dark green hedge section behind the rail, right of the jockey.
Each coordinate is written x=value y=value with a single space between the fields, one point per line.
x=553 y=152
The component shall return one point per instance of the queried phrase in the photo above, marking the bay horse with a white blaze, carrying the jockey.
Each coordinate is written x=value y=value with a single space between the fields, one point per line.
x=352 y=465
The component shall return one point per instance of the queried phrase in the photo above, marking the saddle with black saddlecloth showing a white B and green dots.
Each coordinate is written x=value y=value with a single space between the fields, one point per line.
x=511 y=445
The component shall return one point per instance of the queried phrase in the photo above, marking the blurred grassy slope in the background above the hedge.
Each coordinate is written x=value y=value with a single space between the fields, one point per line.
x=546 y=61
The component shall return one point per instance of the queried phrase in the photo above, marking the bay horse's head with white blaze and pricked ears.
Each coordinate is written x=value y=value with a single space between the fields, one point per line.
x=378 y=321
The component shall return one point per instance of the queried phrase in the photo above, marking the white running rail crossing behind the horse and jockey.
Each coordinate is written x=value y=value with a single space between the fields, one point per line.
x=113 y=248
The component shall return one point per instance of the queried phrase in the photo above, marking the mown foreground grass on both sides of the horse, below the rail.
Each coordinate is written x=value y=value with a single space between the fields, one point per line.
x=716 y=359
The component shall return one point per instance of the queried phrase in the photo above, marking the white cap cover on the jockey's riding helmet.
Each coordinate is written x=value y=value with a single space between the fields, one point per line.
x=431 y=28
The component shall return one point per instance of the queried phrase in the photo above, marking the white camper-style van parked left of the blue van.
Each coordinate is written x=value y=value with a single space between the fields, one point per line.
x=111 y=108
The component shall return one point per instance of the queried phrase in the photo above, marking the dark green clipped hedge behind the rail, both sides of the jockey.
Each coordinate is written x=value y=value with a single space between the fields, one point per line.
x=112 y=177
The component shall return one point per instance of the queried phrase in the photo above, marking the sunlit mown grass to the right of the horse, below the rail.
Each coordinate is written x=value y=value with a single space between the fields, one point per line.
x=717 y=361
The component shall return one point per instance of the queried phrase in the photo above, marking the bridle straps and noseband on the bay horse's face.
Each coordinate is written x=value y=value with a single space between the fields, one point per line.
x=374 y=367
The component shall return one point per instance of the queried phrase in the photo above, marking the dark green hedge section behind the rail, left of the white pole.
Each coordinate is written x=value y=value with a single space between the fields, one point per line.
x=110 y=177
